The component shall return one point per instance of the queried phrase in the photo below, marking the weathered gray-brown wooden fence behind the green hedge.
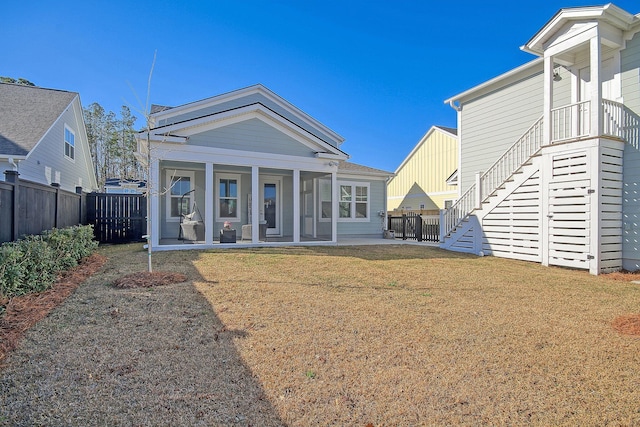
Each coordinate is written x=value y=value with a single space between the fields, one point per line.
x=30 y=208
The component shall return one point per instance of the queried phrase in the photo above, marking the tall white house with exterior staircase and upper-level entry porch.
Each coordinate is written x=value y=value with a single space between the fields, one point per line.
x=550 y=151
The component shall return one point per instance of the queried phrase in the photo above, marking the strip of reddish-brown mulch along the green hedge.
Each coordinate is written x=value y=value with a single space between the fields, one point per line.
x=25 y=311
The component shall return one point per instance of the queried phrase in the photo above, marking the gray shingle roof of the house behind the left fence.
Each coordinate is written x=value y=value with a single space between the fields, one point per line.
x=26 y=114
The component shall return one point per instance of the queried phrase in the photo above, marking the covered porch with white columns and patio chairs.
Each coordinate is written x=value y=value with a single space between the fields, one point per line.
x=203 y=204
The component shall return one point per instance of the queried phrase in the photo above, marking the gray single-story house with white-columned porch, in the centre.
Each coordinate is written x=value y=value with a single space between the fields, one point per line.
x=253 y=161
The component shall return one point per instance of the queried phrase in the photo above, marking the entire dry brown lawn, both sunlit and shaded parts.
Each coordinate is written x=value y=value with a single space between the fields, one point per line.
x=381 y=335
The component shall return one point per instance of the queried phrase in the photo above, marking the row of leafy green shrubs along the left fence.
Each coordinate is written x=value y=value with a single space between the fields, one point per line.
x=33 y=263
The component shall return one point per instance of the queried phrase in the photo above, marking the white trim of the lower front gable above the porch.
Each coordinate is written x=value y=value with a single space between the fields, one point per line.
x=257 y=111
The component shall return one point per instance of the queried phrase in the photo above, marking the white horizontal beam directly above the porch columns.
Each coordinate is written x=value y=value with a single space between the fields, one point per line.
x=197 y=154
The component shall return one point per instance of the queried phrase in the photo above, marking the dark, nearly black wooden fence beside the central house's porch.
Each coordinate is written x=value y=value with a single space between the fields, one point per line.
x=117 y=218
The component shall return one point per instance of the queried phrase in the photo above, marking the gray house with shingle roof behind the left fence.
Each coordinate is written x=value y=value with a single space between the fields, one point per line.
x=42 y=136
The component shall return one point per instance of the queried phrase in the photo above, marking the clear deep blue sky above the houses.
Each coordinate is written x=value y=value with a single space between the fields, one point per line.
x=376 y=72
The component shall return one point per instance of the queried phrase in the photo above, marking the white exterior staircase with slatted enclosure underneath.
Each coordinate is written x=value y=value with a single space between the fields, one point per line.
x=558 y=203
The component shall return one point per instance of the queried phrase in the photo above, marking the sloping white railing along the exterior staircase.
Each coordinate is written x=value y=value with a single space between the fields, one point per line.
x=512 y=159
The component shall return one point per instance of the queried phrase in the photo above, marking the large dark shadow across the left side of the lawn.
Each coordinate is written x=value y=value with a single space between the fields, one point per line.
x=152 y=356
